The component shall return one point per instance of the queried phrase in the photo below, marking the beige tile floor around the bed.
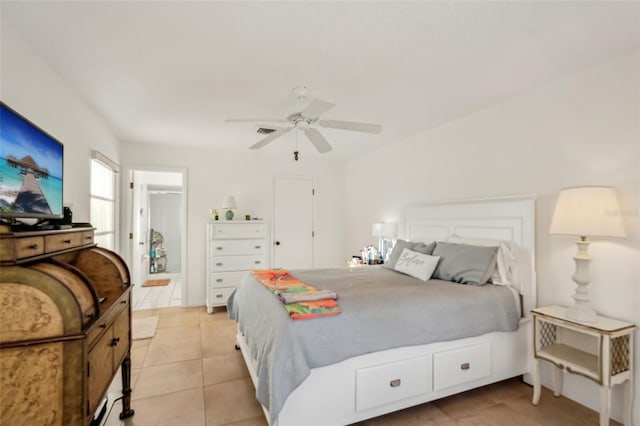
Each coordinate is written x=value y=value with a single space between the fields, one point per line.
x=189 y=374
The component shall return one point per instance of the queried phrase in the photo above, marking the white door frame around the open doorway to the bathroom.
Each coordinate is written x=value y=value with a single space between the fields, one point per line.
x=131 y=218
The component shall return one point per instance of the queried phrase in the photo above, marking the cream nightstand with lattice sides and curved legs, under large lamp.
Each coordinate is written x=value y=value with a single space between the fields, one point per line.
x=601 y=351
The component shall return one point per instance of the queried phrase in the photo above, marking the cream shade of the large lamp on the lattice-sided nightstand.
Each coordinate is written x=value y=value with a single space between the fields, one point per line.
x=588 y=212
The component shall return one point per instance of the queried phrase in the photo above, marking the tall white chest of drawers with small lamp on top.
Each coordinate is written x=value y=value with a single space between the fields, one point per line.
x=233 y=249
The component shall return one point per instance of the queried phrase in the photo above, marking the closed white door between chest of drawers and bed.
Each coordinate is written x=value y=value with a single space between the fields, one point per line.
x=293 y=223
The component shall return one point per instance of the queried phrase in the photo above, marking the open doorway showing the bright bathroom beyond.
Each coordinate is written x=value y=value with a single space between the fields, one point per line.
x=158 y=237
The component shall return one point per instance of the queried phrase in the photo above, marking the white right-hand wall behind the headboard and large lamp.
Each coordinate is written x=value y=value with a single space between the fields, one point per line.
x=583 y=130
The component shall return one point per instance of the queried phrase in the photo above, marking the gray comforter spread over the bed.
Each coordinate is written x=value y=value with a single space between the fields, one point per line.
x=381 y=309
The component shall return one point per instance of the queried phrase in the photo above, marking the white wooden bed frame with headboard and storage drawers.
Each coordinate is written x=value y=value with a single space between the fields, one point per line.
x=373 y=384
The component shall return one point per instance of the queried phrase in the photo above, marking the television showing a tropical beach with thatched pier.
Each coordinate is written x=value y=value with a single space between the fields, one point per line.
x=30 y=170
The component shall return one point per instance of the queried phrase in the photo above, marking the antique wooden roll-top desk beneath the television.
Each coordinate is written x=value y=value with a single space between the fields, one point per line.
x=65 y=327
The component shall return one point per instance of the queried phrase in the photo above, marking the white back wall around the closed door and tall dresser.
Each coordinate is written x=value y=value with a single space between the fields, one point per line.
x=212 y=175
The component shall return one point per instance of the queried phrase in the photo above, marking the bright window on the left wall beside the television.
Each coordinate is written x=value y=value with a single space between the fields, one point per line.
x=103 y=200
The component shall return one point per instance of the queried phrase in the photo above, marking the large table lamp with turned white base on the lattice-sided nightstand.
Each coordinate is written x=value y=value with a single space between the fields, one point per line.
x=586 y=212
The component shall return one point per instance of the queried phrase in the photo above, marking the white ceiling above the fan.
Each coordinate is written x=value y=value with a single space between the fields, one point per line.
x=170 y=72
